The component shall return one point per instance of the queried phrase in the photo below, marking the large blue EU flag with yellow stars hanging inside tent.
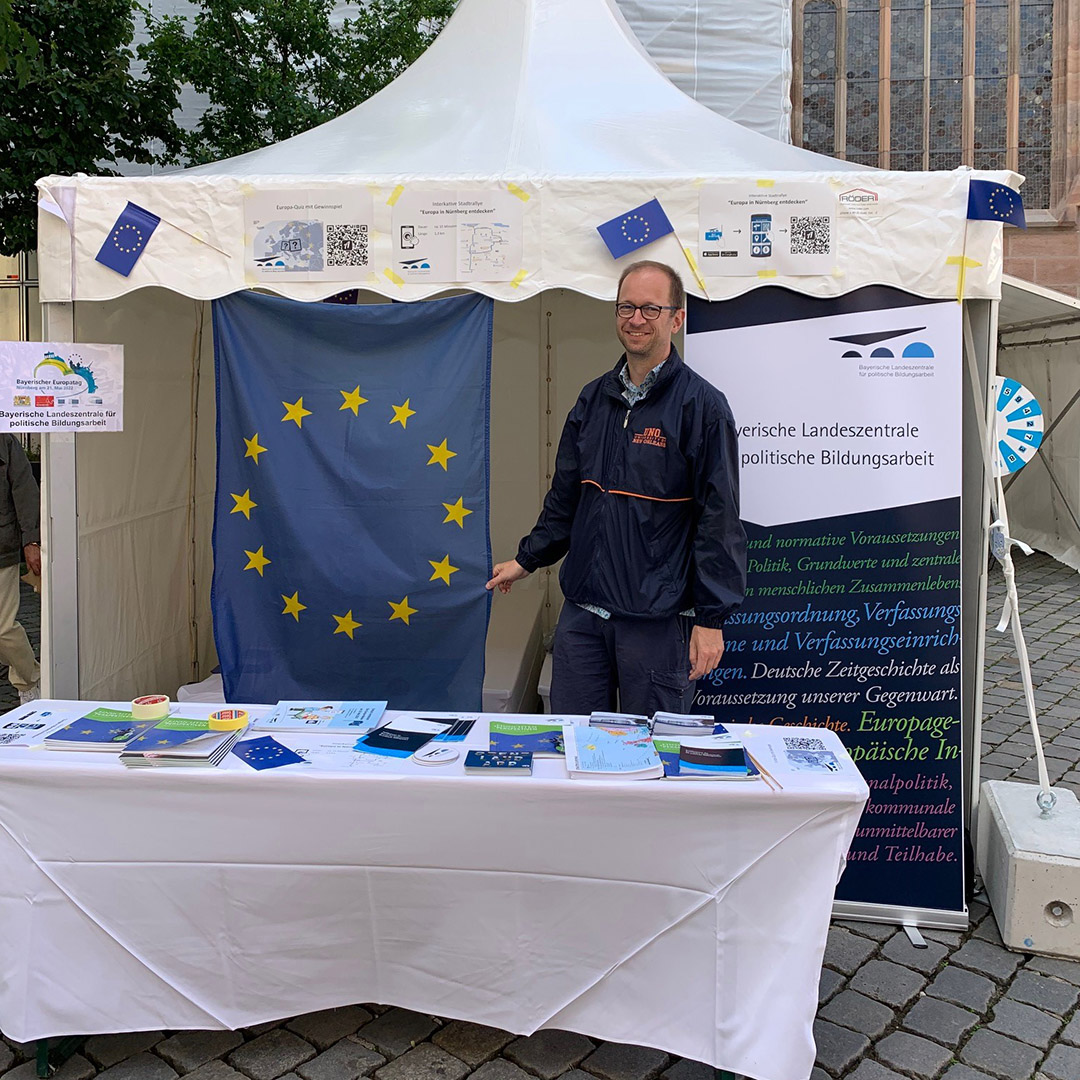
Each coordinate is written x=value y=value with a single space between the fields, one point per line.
x=352 y=530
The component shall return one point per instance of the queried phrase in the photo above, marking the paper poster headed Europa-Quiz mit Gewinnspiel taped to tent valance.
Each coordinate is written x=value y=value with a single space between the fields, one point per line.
x=317 y=234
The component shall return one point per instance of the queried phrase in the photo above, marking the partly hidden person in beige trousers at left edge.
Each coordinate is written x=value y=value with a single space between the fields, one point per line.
x=20 y=537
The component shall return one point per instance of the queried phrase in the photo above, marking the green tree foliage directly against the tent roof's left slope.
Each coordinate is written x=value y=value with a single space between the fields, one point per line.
x=274 y=69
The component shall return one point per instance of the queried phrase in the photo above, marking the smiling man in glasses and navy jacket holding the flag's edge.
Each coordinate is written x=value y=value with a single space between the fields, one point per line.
x=645 y=507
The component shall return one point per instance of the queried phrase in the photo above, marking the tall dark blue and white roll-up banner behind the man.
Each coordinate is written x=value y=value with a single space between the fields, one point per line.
x=849 y=427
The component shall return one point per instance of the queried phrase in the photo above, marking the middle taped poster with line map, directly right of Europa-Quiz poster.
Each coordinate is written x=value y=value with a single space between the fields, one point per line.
x=455 y=236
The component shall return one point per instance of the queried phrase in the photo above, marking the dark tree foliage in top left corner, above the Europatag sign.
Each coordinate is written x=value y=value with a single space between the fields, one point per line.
x=72 y=102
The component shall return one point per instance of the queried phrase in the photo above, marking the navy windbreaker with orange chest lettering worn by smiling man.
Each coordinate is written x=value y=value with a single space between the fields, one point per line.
x=645 y=502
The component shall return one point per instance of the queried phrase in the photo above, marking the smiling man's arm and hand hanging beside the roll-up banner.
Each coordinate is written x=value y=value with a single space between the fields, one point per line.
x=720 y=545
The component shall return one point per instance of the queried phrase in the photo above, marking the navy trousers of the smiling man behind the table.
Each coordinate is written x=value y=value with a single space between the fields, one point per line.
x=634 y=666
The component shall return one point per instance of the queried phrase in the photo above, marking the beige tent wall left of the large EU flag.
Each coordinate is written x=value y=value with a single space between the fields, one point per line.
x=145 y=504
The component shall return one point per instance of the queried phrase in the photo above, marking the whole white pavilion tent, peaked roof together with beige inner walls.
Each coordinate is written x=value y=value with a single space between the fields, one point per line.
x=552 y=97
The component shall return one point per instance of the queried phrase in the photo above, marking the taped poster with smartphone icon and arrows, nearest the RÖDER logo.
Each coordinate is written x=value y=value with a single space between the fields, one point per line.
x=787 y=228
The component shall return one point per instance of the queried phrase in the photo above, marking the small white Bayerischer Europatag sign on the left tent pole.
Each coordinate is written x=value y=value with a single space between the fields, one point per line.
x=55 y=386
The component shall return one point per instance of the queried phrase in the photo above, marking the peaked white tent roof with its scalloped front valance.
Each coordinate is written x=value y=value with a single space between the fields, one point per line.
x=557 y=101
